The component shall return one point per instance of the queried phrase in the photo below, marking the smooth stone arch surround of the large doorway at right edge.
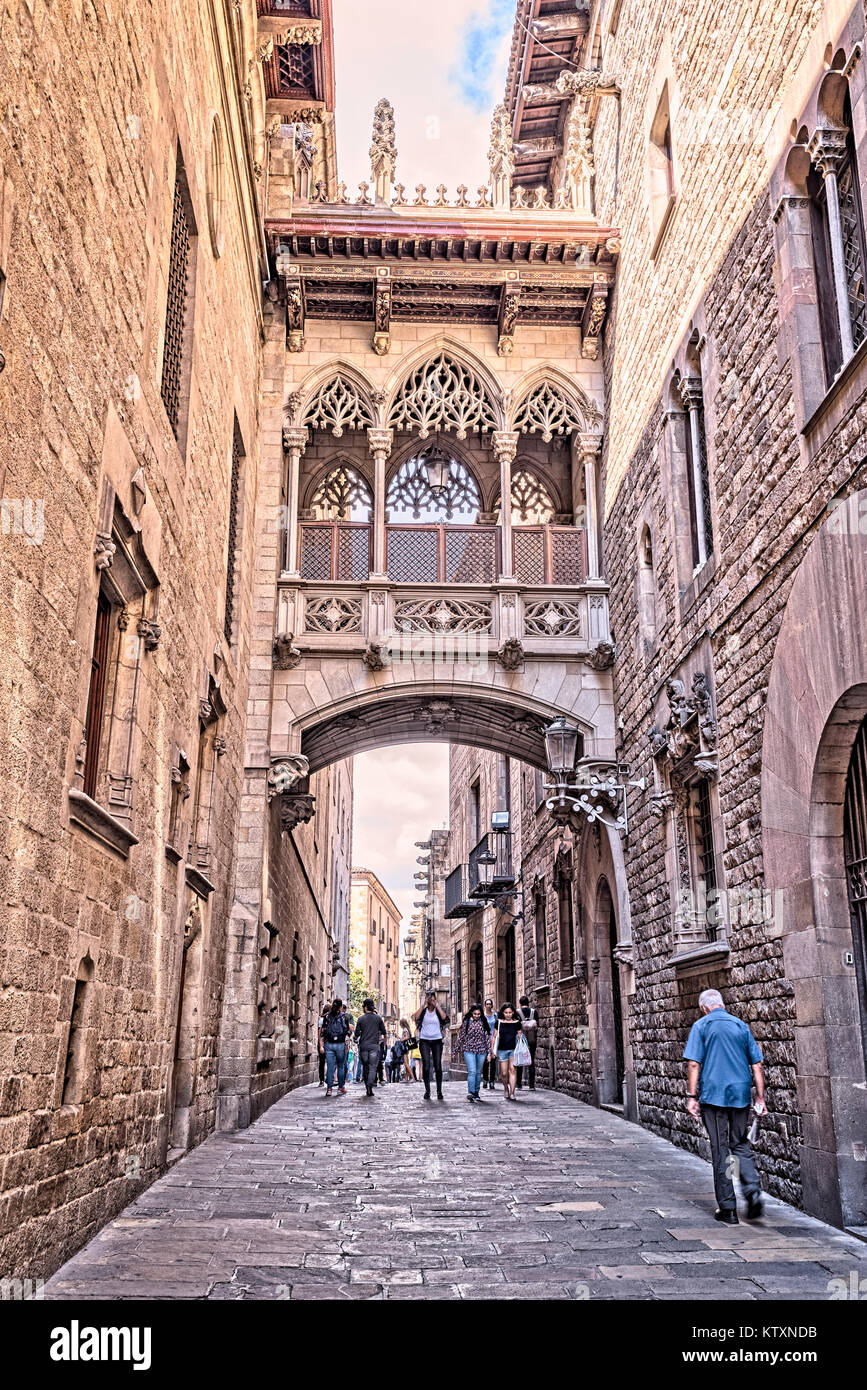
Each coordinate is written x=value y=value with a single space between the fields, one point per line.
x=818 y=698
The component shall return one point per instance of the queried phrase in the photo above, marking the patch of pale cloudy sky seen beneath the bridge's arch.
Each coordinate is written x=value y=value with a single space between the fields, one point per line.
x=402 y=794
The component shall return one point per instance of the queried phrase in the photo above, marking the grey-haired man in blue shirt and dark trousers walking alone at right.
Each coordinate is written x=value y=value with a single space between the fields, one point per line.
x=725 y=1054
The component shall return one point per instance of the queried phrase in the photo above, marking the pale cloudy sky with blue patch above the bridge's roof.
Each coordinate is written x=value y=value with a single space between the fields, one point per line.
x=443 y=66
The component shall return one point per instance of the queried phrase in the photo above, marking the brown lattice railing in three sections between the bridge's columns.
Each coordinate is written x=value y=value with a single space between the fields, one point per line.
x=418 y=554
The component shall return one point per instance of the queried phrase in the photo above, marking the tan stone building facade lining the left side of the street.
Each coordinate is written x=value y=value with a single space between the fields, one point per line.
x=135 y=404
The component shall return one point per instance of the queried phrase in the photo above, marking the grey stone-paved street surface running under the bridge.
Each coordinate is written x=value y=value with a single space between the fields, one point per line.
x=401 y=1199
